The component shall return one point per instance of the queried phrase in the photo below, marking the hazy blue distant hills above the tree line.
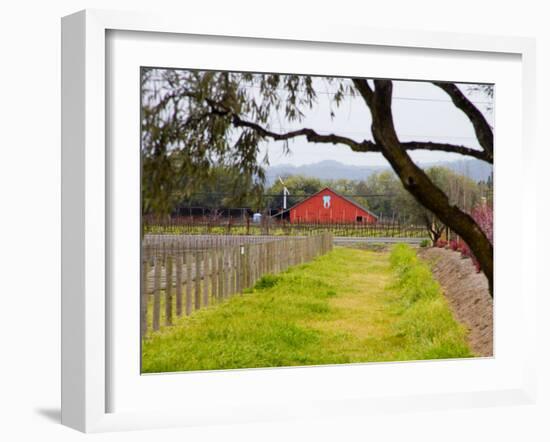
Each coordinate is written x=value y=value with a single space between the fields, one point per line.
x=332 y=170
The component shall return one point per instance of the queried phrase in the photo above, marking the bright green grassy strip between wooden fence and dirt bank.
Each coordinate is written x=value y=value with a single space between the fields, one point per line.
x=348 y=306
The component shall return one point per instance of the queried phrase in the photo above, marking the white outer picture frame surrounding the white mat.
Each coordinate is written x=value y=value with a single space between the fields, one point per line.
x=86 y=356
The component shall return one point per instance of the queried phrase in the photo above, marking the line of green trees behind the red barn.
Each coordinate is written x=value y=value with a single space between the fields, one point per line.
x=381 y=193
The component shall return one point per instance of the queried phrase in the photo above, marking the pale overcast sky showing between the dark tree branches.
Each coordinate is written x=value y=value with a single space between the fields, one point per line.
x=422 y=112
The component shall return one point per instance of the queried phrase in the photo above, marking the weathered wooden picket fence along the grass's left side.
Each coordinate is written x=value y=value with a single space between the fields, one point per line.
x=181 y=274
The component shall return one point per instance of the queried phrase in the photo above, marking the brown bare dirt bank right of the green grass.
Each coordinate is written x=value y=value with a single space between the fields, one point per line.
x=467 y=293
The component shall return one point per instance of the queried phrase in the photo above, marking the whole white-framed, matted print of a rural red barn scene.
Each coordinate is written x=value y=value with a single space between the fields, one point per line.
x=269 y=223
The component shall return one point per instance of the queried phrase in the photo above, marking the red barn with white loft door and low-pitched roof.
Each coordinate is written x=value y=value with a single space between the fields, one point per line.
x=326 y=206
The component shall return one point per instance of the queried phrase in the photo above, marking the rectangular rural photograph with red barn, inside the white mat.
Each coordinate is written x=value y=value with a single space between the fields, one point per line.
x=292 y=220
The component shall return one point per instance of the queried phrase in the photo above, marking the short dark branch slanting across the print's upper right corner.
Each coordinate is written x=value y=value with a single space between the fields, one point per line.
x=483 y=131
